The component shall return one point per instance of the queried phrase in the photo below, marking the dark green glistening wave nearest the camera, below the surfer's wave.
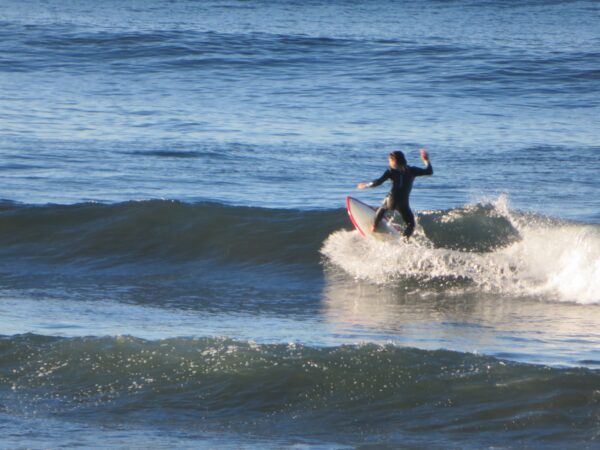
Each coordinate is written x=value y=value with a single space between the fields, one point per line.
x=386 y=392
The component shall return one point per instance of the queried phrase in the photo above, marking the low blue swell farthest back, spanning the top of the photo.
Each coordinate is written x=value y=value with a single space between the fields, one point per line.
x=467 y=70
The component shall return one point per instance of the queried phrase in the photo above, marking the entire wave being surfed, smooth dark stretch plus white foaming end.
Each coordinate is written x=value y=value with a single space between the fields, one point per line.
x=485 y=247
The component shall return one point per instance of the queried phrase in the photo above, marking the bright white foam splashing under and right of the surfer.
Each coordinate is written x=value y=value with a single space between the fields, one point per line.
x=558 y=261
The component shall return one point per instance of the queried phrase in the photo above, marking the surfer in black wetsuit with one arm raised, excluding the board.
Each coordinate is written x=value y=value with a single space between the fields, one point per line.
x=402 y=176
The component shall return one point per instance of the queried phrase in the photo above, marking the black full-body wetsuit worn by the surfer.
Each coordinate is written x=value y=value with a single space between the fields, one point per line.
x=402 y=181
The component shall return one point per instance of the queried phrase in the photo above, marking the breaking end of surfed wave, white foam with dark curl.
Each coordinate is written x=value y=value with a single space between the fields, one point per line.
x=486 y=247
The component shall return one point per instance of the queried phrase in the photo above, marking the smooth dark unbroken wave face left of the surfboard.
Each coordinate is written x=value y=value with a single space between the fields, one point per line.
x=160 y=230
